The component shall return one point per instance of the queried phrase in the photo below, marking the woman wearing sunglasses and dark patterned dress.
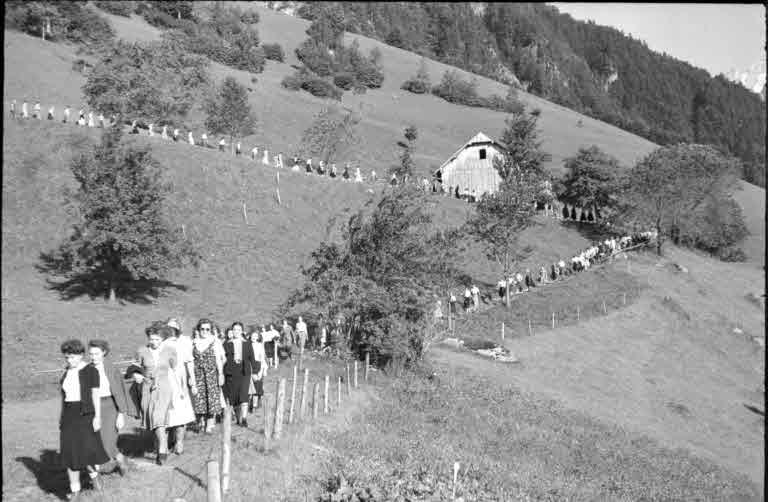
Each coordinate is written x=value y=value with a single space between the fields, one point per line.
x=209 y=375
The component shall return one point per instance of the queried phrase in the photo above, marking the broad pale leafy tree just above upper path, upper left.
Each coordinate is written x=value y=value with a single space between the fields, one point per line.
x=158 y=81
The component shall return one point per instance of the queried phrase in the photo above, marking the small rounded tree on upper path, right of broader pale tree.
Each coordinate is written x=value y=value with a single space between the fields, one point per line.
x=228 y=112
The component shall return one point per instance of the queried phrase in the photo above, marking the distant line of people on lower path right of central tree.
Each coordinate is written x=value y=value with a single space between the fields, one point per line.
x=520 y=282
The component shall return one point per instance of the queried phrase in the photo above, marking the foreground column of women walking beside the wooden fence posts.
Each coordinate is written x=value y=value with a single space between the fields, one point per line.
x=176 y=380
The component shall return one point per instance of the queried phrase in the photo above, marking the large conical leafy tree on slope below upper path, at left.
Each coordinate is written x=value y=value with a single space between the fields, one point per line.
x=122 y=236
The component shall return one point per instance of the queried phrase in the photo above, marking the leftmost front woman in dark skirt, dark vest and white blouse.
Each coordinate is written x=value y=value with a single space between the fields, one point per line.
x=81 y=447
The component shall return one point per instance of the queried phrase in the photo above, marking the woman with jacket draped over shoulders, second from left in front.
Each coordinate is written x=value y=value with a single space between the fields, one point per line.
x=113 y=401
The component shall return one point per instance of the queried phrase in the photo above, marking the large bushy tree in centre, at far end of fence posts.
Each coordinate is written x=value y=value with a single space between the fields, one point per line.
x=382 y=279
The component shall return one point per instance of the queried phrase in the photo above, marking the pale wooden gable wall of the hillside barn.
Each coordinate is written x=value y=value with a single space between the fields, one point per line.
x=468 y=171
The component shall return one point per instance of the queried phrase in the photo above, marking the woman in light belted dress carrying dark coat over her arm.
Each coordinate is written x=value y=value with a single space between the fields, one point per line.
x=158 y=361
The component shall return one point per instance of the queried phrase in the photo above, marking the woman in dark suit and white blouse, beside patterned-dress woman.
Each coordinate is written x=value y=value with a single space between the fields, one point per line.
x=238 y=368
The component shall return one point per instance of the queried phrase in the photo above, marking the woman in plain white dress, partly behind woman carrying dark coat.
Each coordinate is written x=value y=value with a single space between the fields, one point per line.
x=181 y=412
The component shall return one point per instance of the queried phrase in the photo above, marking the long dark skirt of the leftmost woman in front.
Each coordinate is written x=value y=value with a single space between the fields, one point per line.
x=80 y=445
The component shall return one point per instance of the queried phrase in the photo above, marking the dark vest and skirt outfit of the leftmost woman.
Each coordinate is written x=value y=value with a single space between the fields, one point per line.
x=81 y=446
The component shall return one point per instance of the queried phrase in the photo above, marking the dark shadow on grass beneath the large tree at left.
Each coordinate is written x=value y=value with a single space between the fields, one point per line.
x=95 y=283
